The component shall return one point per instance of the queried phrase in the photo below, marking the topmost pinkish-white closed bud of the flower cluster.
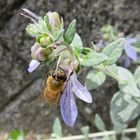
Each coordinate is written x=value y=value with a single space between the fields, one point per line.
x=54 y=19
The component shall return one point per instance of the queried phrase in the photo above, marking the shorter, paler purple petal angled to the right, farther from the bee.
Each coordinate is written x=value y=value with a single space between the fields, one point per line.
x=79 y=90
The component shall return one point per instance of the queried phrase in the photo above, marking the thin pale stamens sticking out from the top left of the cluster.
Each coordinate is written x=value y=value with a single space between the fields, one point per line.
x=27 y=13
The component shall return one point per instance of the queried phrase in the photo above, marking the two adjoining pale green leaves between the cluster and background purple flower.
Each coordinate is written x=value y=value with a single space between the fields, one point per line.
x=108 y=56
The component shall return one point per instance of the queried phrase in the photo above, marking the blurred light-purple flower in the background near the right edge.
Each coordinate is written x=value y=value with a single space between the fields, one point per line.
x=129 y=49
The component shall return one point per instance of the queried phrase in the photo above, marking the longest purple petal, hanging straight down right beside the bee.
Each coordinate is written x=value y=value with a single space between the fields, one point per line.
x=68 y=106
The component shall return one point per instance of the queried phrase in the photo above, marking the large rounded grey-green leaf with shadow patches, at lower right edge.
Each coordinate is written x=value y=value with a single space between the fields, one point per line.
x=123 y=111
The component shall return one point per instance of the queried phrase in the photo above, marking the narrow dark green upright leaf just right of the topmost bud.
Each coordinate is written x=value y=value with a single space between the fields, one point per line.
x=70 y=33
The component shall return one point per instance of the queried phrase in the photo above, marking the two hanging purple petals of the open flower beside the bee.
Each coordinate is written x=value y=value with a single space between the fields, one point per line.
x=67 y=102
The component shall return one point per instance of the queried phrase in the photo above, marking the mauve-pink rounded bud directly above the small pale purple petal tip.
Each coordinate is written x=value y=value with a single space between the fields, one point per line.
x=39 y=53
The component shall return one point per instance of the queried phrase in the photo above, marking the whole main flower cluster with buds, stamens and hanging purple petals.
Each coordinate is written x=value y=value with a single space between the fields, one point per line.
x=52 y=45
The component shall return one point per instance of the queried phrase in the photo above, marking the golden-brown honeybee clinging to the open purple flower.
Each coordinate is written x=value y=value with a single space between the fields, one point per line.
x=54 y=86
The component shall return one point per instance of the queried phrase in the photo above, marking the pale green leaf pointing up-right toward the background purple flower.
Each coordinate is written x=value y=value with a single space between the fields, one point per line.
x=113 y=51
